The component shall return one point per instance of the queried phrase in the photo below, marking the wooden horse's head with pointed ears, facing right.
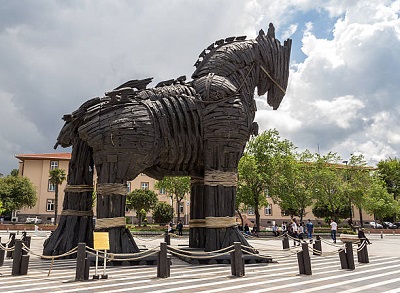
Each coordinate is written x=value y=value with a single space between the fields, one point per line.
x=274 y=66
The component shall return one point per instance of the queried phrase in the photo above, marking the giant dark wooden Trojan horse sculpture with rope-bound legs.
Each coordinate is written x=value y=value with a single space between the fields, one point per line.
x=197 y=128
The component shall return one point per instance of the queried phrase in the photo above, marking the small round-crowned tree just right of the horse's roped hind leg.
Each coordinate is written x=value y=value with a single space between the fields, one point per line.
x=141 y=199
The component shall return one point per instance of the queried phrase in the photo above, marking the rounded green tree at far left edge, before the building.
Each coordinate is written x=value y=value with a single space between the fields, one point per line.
x=16 y=192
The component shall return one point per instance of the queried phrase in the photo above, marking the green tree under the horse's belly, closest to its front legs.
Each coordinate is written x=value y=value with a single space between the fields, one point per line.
x=176 y=188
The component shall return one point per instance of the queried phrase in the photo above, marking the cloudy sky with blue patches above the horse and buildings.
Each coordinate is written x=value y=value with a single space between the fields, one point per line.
x=344 y=82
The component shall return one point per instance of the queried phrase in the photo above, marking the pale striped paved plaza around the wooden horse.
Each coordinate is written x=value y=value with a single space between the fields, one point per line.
x=381 y=274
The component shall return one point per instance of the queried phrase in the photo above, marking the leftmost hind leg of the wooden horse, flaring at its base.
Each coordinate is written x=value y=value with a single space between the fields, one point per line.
x=74 y=228
